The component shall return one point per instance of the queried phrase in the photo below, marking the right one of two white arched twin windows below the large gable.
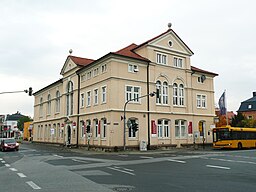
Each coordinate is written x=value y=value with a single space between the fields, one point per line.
x=178 y=94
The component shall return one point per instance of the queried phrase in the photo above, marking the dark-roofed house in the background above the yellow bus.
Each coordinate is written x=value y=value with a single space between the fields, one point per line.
x=248 y=107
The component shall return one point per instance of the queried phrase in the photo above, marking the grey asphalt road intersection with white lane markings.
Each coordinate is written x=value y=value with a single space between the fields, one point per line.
x=50 y=168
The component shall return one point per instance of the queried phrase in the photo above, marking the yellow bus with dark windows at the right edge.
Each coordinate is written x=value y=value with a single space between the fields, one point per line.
x=234 y=137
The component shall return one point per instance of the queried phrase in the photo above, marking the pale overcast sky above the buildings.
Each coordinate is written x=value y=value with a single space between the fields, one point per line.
x=35 y=37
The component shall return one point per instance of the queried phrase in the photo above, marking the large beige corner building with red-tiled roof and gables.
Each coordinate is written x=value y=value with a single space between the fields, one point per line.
x=87 y=105
